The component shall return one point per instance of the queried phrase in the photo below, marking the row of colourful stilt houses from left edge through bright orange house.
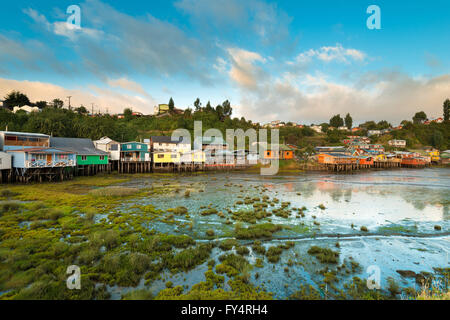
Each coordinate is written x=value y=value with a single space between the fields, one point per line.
x=28 y=157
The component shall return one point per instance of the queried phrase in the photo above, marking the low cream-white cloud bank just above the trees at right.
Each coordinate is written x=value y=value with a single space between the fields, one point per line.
x=387 y=98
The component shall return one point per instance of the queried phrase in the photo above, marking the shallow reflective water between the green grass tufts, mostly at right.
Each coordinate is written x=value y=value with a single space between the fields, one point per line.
x=400 y=209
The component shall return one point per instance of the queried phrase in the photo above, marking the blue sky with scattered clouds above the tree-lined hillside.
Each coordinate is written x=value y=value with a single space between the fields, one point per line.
x=299 y=61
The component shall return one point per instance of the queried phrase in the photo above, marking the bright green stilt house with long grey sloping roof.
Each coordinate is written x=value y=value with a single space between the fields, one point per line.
x=89 y=160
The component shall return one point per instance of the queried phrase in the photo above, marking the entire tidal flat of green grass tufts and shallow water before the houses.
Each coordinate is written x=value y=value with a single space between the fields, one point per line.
x=228 y=235
